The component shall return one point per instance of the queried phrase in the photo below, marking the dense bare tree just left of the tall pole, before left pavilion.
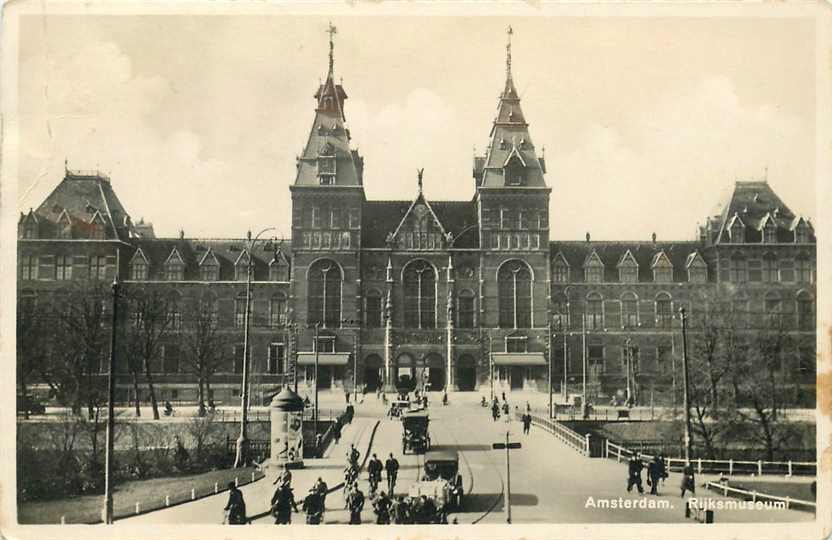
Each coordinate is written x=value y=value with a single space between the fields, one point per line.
x=78 y=342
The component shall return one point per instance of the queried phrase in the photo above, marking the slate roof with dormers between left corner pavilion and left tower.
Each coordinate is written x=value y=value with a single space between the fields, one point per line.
x=192 y=251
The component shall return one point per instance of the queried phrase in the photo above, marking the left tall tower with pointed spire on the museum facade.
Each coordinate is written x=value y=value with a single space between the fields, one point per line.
x=327 y=199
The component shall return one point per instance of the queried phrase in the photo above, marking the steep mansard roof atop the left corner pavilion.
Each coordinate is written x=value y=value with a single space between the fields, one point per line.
x=81 y=195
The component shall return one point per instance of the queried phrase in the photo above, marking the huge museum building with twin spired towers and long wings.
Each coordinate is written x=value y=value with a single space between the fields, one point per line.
x=430 y=292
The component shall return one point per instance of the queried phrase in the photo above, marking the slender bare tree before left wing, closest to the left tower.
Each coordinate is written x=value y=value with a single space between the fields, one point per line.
x=203 y=345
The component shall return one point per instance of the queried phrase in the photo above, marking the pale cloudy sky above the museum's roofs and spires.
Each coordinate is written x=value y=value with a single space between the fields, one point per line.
x=646 y=122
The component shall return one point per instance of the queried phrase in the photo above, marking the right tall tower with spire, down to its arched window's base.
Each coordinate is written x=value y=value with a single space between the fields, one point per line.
x=512 y=200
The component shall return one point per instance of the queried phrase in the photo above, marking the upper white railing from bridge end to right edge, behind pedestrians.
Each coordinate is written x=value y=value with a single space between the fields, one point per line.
x=722 y=466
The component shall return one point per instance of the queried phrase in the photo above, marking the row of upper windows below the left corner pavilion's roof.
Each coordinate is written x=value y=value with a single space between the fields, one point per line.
x=63 y=267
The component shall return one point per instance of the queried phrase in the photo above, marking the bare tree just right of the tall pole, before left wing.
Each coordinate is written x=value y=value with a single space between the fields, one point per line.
x=147 y=327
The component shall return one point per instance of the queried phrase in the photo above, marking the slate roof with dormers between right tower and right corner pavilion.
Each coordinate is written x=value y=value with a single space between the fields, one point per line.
x=611 y=253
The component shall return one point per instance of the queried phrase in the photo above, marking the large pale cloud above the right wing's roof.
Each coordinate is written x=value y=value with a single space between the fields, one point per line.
x=678 y=155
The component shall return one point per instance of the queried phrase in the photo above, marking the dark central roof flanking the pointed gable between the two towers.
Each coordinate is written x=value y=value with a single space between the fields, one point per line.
x=380 y=218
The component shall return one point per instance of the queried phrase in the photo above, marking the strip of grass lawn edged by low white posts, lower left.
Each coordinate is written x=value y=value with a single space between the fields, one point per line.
x=149 y=493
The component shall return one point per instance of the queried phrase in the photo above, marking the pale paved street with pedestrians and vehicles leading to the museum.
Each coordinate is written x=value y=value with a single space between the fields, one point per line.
x=550 y=482
